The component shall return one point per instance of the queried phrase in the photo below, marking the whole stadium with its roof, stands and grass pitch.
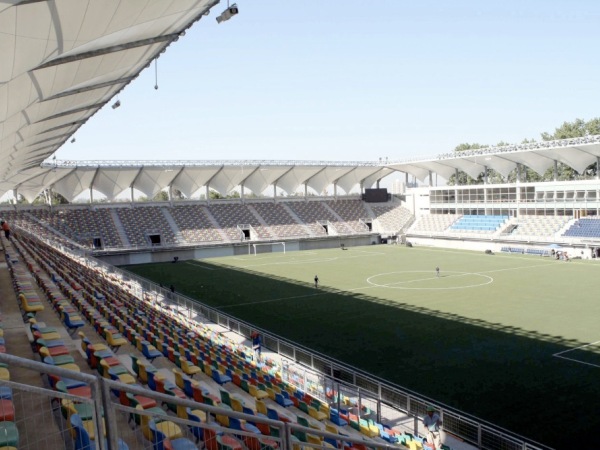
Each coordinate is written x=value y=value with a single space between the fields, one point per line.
x=279 y=304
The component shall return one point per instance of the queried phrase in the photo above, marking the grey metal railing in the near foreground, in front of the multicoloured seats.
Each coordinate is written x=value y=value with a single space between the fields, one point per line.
x=44 y=416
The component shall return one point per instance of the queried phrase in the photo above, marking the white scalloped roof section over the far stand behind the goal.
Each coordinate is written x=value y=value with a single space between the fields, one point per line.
x=71 y=178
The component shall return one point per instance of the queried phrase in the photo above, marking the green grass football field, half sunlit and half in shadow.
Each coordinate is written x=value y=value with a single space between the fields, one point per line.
x=512 y=339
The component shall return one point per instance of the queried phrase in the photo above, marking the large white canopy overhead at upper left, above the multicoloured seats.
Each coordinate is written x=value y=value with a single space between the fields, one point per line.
x=63 y=60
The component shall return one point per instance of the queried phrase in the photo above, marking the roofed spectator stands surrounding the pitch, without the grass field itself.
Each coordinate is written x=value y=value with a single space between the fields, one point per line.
x=142 y=366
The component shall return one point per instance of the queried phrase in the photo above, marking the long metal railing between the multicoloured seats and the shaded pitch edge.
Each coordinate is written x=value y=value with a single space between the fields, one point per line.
x=317 y=373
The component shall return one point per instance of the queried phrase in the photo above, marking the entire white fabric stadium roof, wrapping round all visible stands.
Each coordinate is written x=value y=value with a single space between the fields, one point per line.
x=64 y=60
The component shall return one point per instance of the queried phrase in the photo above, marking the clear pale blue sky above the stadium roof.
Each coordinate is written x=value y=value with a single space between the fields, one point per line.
x=356 y=81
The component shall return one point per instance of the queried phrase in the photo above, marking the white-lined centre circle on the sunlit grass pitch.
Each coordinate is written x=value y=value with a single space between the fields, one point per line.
x=428 y=280
